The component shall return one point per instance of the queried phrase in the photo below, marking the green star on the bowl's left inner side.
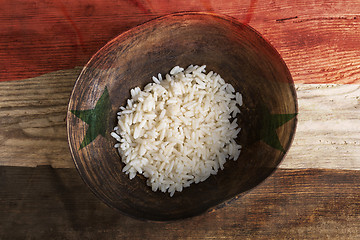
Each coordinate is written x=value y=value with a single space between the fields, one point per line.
x=96 y=118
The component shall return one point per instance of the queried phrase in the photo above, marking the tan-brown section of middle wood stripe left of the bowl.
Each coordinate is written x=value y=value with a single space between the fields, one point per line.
x=32 y=120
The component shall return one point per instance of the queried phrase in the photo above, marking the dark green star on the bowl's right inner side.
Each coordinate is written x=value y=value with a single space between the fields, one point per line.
x=269 y=124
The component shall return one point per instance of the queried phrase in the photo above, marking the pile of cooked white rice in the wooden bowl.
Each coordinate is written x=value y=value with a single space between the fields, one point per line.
x=179 y=130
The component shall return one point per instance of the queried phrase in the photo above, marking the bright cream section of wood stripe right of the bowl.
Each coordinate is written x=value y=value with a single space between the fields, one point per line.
x=328 y=131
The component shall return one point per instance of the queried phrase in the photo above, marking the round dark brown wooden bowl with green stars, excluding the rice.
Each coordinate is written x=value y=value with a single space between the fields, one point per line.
x=235 y=51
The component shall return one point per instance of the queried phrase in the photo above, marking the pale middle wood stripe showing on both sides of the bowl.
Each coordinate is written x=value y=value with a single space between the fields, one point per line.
x=32 y=117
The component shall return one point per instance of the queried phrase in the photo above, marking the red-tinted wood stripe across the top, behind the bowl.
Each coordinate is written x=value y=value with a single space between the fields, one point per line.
x=317 y=39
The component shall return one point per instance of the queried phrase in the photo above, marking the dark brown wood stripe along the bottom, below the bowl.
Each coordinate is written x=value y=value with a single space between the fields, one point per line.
x=47 y=203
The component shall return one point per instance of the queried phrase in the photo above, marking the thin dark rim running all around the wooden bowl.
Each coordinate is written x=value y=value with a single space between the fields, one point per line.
x=125 y=34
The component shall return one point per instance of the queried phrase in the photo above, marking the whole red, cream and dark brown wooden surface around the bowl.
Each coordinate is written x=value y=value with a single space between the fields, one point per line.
x=314 y=196
